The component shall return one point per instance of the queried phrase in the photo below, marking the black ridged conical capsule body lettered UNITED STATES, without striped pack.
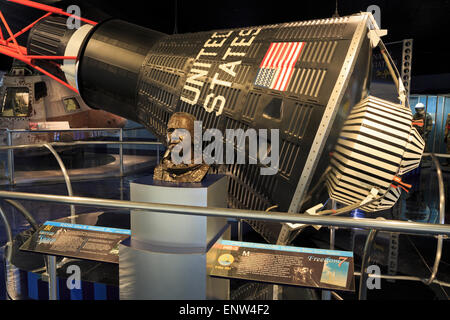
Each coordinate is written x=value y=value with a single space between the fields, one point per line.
x=141 y=74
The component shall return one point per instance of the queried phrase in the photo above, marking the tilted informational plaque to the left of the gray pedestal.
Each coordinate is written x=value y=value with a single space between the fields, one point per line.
x=77 y=241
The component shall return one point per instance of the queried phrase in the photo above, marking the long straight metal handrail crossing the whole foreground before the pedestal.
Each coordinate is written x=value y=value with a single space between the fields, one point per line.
x=344 y=222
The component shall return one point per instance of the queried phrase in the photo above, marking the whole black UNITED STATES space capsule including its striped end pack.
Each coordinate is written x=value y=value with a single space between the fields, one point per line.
x=307 y=79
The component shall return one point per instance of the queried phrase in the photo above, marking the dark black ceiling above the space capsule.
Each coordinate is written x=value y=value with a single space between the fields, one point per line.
x=427 y=22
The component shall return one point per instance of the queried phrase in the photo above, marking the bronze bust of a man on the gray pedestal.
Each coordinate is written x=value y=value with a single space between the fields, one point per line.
x=169 y=171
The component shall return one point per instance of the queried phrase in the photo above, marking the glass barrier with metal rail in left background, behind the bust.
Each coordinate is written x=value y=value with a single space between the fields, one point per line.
x=84 y=152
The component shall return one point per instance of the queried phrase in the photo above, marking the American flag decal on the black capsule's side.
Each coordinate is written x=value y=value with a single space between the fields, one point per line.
x=277 y=66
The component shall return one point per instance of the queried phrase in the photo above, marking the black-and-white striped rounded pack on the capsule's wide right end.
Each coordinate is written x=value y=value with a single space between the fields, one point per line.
x=376 y=145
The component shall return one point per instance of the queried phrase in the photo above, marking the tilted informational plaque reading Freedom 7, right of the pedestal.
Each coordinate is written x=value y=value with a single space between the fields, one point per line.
x=297 y=266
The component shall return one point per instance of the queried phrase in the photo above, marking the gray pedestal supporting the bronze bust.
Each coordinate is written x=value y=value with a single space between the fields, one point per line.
x=165 y=258
